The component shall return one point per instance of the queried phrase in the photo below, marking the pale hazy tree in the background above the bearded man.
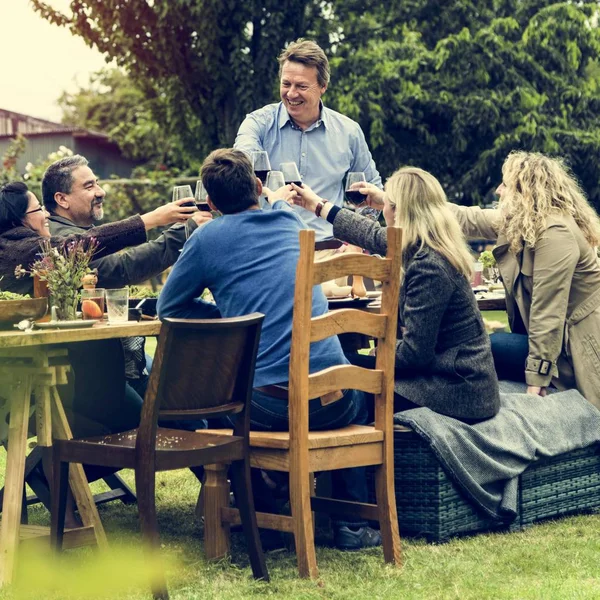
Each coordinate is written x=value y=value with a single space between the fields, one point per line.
x=132 y=118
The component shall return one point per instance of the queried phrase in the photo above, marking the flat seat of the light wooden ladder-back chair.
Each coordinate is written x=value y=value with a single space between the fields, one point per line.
x=346 y=436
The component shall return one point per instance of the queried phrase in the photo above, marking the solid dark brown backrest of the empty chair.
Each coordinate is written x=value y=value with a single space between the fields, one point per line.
x=202 y=367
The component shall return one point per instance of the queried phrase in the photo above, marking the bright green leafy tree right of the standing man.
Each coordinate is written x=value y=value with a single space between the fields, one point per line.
x=459 y=106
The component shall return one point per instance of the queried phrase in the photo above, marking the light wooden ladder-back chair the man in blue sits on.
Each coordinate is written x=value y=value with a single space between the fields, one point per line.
x=301 y=452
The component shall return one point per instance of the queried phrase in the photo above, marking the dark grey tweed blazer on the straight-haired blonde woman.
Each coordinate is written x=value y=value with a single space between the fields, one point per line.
x=443 y=359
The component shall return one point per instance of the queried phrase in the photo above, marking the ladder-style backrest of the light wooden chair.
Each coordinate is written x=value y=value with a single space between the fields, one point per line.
x=382 y=327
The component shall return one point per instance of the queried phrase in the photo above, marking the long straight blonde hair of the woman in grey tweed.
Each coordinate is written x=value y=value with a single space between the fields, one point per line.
x=423 y=213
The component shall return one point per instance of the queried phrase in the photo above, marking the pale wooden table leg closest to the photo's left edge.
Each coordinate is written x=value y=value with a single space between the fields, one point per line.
x=20 y=397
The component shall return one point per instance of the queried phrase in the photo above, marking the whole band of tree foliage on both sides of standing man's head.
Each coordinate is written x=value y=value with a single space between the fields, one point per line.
x=448 y=85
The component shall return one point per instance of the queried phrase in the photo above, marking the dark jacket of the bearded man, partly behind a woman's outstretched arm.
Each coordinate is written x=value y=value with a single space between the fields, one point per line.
x=134 y=265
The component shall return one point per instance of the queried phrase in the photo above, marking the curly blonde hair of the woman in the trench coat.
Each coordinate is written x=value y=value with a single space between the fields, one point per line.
x=536 y=187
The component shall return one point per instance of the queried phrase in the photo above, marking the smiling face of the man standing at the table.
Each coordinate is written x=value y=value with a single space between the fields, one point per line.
x=301 y=93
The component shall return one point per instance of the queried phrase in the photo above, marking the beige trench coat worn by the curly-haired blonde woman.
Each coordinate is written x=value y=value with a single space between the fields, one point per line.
x=555 y=289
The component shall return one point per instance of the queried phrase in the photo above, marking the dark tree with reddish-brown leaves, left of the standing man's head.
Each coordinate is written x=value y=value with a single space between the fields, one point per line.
x=211 y=60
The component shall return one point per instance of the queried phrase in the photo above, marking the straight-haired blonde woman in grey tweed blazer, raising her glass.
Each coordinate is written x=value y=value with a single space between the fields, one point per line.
x=443 y=355
